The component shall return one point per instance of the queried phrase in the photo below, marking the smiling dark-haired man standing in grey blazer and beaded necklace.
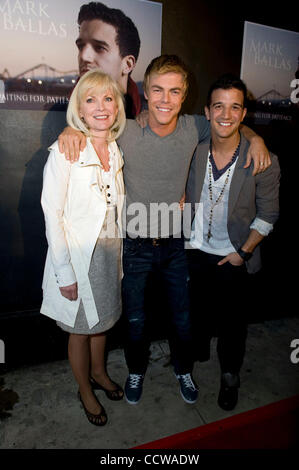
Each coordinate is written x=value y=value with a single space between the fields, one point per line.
x=232 y=210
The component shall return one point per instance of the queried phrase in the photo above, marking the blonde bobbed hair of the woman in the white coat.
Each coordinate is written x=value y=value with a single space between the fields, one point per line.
x=101 y=82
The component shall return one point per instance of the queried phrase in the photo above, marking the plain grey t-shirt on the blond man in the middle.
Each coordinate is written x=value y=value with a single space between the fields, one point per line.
x=155 y=172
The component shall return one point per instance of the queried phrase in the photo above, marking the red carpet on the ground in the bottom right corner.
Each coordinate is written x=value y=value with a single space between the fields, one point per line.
x=275 y=426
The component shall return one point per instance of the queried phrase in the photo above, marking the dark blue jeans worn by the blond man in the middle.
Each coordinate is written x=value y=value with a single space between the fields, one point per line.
x=141 y=257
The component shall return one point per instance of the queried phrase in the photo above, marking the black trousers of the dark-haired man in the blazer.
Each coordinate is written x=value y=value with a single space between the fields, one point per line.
x=218 y=308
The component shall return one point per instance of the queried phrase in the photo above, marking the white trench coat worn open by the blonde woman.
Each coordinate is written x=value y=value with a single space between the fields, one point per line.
x=75 y=206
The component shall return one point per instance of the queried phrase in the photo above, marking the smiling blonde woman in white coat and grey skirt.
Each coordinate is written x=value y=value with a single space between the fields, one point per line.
x=82 y=203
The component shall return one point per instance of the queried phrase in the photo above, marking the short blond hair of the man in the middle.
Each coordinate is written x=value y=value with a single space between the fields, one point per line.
x=165 y=64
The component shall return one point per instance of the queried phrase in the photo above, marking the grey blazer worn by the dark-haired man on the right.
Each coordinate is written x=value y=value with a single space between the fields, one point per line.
x=249 y=196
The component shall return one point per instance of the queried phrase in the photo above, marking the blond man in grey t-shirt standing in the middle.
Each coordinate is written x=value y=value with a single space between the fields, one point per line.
x=157 y=160
